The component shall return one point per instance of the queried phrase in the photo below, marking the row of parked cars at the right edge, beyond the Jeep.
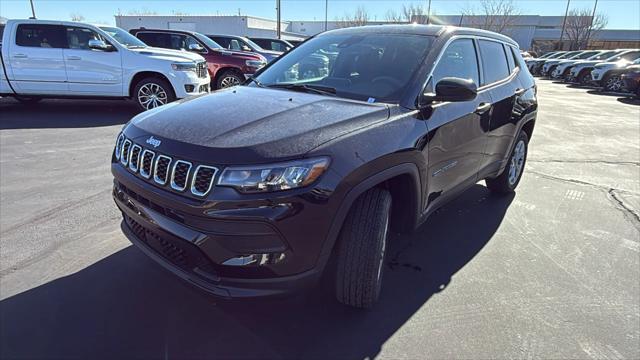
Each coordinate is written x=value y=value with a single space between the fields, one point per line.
x=611 y=70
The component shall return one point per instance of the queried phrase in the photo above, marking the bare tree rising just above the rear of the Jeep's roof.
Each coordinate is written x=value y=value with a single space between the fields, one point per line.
x=493 y=15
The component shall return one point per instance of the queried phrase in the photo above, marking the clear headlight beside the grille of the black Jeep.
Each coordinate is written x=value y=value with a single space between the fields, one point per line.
x=274 y=177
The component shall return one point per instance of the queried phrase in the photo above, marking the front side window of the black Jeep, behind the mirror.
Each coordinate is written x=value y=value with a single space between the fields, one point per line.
x=458 y=60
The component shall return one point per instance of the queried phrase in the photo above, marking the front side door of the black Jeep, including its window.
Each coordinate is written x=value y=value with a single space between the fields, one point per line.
x=457 y=130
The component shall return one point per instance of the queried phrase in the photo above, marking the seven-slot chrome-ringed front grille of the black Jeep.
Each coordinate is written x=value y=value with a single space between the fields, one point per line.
x=178 y=175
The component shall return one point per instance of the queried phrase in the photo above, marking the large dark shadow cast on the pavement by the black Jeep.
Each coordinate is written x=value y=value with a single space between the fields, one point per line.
x=125 y=306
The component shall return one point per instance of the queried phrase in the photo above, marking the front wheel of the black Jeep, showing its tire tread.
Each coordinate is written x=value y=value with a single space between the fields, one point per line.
x=361 y=249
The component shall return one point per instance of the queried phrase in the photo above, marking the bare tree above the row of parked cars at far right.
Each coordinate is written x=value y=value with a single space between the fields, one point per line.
x=580 y=27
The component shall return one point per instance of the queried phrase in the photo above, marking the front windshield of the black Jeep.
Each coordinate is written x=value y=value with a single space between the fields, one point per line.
x=369 y=67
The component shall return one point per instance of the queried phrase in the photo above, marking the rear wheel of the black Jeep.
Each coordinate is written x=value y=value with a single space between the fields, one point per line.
x=510 y=177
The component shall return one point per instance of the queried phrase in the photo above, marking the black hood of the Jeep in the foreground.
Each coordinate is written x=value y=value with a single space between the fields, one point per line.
x=251 y=125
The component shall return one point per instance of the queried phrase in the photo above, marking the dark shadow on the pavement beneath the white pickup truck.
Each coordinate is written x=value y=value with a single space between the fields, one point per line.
x=64 y=113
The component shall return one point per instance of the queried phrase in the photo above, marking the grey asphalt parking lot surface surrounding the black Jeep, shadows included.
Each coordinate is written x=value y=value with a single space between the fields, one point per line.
x=551 y=272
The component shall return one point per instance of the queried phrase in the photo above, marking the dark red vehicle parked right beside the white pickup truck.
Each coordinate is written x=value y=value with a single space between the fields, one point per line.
x=226 y=67
